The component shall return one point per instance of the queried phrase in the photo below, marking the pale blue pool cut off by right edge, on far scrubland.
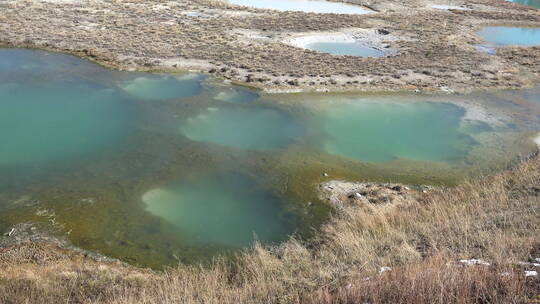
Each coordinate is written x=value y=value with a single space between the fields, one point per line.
x=507 y=35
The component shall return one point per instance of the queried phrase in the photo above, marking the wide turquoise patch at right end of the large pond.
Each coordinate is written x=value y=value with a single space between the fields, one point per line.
x=379 y=131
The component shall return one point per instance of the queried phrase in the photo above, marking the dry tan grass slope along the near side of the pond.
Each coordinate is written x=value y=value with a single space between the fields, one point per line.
x=495 y=219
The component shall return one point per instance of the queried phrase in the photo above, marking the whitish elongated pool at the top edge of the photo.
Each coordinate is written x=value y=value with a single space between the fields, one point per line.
x=308 y=6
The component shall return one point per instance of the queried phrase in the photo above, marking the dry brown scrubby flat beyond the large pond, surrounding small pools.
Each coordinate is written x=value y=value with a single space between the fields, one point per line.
x=432 y=49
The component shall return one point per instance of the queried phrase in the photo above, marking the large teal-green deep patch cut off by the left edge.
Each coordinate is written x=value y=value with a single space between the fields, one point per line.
x=58 y=123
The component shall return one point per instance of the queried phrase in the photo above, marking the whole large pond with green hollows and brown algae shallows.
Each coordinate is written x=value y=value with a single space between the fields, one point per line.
x=160 y=169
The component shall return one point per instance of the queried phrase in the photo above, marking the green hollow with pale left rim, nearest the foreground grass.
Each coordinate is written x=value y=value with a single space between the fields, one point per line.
x=227 y=210
